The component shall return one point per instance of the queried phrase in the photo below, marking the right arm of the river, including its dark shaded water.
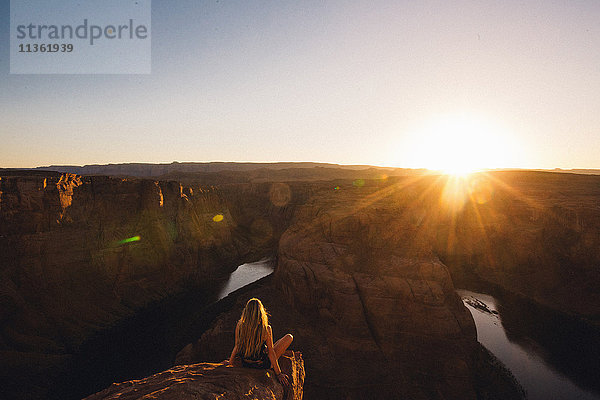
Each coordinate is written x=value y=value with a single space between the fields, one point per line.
x=506 y=331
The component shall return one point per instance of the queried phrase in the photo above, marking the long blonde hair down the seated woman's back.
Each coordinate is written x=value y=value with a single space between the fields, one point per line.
x=251 y=330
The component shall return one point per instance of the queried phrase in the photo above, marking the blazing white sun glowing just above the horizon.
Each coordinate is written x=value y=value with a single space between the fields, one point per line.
x=458 y=145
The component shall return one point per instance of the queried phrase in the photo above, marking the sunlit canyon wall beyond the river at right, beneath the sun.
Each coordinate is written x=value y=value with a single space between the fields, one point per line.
x=533 y=234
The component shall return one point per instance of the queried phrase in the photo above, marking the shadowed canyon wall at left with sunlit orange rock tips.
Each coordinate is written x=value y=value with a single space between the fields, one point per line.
x=79 y=253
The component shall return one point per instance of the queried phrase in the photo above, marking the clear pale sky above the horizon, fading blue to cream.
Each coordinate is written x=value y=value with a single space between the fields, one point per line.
x=398 y=83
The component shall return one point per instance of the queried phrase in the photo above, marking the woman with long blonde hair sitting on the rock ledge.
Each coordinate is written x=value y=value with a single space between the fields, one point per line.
x=254 y=346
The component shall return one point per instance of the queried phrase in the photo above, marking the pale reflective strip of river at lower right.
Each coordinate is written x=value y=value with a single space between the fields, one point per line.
x=524 y=356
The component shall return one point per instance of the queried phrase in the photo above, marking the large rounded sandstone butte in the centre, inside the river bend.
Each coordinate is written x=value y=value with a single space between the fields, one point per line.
x=374 y=309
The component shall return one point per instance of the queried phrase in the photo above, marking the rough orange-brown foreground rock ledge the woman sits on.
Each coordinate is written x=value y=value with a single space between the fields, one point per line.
x=213 y=381
